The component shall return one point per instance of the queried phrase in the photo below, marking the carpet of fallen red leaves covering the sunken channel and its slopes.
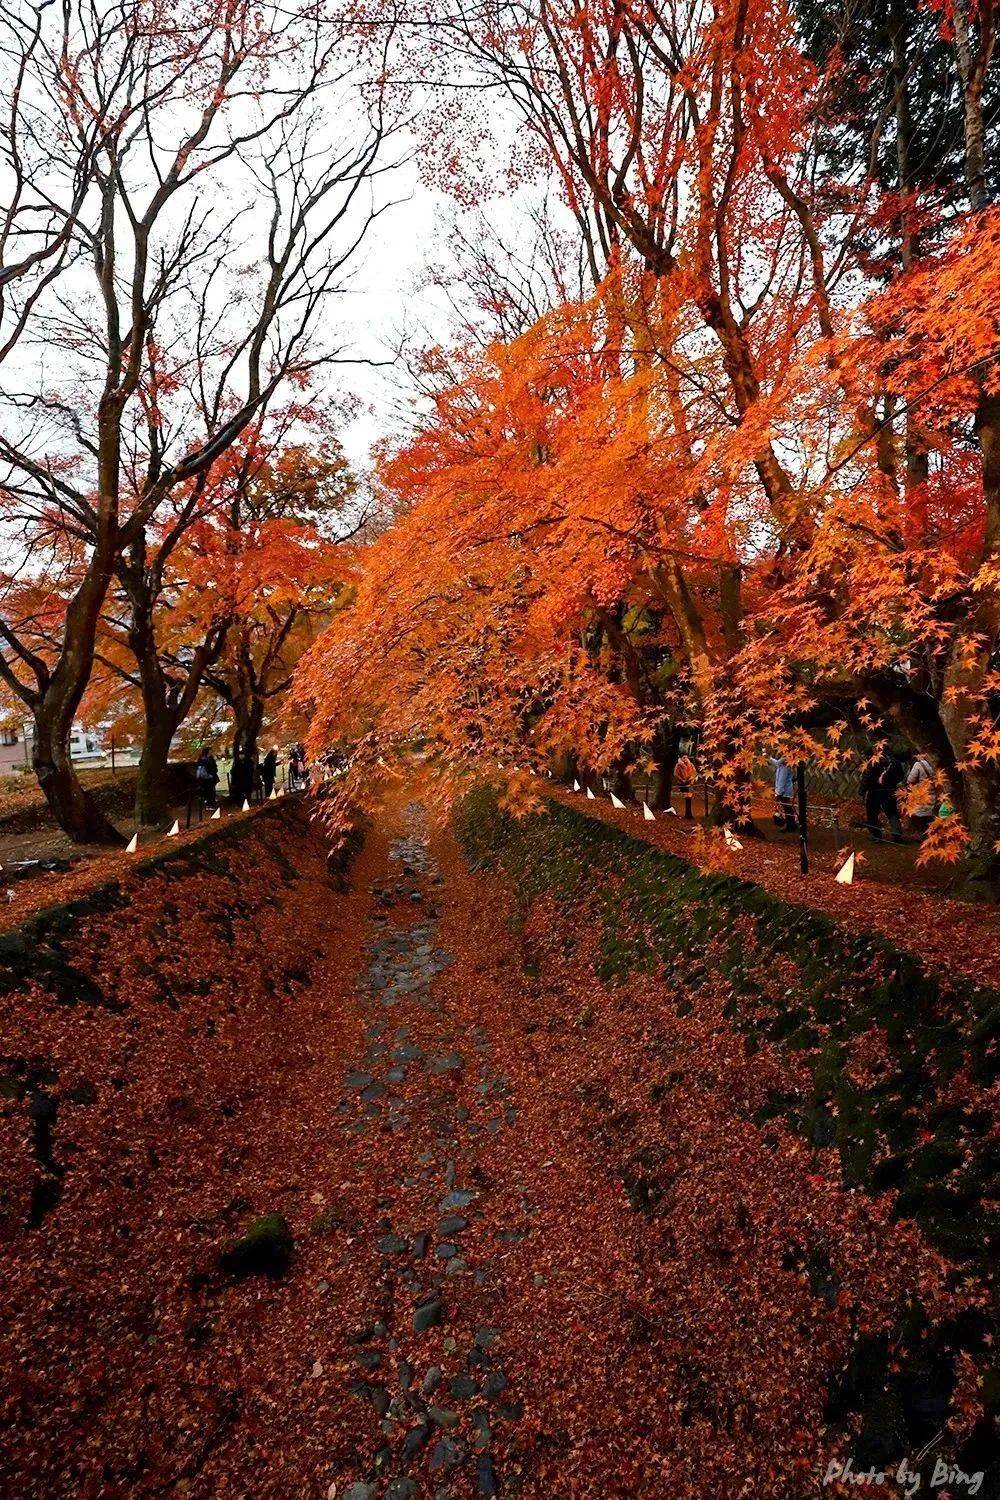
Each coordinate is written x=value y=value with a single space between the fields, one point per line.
x=557 y=1225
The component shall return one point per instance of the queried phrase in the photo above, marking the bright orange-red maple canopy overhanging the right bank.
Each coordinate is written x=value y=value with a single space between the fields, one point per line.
x=752 y=479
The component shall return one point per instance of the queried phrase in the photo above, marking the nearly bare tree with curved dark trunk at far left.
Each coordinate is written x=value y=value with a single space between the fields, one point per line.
x=121 y=251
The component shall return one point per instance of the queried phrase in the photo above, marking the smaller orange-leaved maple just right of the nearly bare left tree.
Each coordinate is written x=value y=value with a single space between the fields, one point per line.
x=251 y=559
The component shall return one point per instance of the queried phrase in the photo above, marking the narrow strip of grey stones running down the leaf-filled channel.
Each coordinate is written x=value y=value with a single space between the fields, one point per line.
x=428 y=1207
